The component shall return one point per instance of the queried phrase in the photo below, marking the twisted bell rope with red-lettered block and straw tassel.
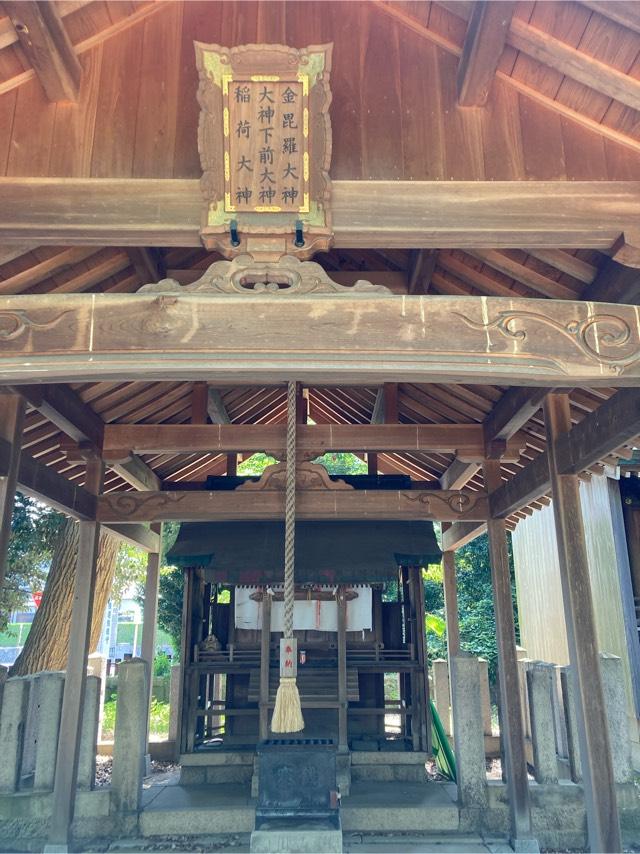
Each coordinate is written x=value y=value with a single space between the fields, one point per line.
x=287 y=713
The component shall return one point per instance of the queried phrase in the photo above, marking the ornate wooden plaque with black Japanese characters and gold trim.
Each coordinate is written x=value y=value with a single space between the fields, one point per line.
x=265 y=148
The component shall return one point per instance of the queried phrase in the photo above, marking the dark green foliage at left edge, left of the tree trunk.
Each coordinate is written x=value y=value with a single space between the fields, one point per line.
x=34 y=529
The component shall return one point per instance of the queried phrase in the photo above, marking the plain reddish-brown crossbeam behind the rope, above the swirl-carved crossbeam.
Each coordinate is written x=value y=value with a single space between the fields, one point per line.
x=467 y=440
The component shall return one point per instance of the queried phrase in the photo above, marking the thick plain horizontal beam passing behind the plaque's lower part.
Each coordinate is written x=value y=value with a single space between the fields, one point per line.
x=418 y=214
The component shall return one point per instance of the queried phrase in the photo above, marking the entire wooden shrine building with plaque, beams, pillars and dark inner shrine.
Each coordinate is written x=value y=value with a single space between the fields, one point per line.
x=424 y=215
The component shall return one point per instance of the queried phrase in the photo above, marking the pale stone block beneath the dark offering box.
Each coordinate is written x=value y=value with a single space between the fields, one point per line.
x=296 y=837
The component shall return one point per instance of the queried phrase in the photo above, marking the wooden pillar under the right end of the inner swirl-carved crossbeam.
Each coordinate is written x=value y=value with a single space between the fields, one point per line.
x=511 y=729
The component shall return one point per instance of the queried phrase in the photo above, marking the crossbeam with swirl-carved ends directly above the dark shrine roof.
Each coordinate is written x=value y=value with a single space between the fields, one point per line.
x=201 y=506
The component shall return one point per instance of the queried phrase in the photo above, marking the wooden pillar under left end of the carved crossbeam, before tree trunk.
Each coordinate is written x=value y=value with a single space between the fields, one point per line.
x=64 y=787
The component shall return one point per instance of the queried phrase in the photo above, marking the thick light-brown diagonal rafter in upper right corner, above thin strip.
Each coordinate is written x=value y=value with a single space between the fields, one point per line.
x=573 y=63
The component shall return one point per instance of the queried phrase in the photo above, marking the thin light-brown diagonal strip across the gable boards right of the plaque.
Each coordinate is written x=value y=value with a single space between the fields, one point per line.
x=395 y=11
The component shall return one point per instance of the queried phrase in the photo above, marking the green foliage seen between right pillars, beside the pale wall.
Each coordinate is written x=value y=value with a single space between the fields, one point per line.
x=475 y=605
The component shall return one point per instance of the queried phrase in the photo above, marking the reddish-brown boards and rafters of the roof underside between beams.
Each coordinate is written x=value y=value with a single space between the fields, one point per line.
x=137 y=117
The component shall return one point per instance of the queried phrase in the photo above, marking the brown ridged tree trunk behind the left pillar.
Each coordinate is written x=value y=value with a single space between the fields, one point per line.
x=47 y=643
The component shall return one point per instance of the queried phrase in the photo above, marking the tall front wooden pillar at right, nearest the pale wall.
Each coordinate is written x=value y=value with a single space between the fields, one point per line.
x=591 y=715
